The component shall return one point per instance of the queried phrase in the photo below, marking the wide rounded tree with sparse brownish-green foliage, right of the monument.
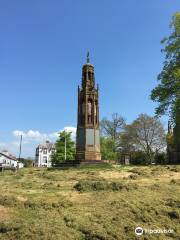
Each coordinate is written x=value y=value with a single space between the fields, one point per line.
x=145 y=135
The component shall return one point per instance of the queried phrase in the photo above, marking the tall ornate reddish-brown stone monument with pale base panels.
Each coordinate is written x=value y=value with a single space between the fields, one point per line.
x=88 y=139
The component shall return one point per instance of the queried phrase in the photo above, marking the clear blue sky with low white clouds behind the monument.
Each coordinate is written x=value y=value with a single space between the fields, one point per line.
x=43 y=46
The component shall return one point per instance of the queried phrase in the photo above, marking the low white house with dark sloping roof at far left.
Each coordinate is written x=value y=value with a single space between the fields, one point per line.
x=8 y=161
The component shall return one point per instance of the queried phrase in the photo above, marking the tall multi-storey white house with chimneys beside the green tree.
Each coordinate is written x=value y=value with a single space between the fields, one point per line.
x=43 y=154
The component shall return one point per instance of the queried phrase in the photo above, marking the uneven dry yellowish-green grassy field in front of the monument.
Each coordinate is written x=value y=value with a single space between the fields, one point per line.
x=90 y=203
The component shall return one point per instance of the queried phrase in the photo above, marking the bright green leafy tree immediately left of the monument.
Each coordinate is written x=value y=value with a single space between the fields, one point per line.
x=61 y=151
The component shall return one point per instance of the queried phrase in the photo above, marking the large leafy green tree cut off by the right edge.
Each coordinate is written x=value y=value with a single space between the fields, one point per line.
x=167 y=93
